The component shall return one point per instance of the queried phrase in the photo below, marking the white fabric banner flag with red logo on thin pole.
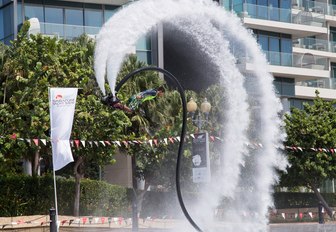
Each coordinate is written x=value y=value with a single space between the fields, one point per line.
x=62 y=108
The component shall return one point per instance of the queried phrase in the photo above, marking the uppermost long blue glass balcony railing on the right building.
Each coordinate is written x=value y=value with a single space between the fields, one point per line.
x=279 y=14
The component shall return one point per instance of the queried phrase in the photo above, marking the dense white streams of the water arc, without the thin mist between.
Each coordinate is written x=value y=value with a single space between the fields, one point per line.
x=215 y=36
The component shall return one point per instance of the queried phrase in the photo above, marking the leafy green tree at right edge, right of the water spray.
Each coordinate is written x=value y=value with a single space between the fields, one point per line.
x=312 y=127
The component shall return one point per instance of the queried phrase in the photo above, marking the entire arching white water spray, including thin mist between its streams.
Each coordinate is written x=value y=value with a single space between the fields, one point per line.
x=247 y=175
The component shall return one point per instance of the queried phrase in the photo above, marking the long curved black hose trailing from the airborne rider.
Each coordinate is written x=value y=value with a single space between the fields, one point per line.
x=183 y=131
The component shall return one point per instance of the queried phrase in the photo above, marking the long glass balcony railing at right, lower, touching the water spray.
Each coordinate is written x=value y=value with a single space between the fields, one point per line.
x=306 y=60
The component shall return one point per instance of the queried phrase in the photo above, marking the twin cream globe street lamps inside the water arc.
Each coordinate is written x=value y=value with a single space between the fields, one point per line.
x=205 y=109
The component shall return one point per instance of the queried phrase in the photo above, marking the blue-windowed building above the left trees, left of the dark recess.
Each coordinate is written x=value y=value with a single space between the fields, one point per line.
x=63 y=19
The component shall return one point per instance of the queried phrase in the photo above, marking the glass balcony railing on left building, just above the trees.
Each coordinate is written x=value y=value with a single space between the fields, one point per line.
x=66 y=31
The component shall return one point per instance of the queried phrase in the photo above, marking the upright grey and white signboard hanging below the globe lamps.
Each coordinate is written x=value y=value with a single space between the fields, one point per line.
x=200 y=158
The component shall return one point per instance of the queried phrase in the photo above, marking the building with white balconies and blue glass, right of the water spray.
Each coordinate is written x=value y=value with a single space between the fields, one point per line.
x=298 y=38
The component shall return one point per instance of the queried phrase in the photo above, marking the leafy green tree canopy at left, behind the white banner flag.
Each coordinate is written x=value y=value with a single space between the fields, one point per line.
x=34 y=64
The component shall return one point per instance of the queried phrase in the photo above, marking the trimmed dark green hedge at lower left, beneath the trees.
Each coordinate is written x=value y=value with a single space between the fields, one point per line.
x=26 y=195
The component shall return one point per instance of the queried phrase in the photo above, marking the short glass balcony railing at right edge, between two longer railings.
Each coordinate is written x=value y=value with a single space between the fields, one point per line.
x=315 y=44
